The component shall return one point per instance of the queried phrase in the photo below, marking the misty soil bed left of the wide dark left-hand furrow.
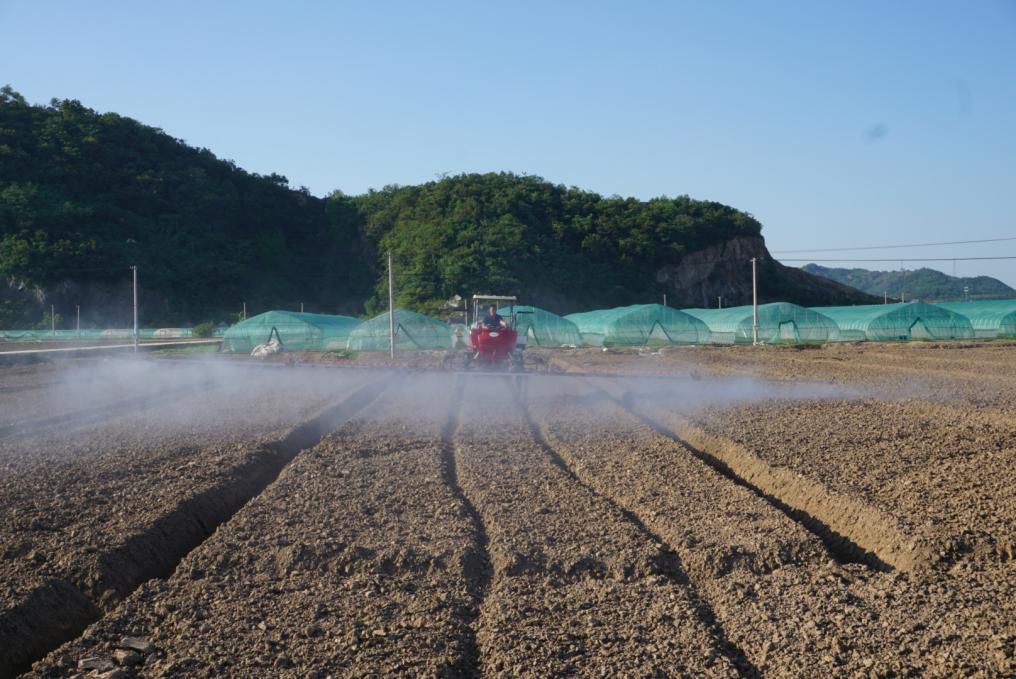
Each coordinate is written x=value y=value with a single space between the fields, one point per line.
x=98 y=502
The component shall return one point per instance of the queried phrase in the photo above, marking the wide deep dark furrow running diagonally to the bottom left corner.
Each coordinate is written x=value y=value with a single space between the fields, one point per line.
x=29 y=632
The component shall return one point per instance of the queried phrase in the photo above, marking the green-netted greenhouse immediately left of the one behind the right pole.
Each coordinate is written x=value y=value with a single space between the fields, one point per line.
x=640 y=325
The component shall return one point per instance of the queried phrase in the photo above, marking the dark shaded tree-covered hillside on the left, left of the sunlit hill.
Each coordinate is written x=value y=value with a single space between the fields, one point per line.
x=85 y=196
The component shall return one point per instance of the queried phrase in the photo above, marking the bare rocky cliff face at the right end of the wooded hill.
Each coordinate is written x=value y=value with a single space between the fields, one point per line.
x=725 y=271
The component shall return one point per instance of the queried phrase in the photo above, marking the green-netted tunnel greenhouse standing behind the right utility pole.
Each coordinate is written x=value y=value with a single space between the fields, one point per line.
x=779 y=323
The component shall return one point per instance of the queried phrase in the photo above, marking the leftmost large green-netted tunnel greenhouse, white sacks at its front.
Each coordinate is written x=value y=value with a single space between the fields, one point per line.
x=297 y=332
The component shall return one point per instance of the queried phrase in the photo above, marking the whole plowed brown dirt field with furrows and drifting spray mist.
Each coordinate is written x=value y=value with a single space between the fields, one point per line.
x=736 y=512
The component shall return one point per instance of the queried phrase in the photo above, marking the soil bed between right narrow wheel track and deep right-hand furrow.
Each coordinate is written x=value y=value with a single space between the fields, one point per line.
x=749 y=562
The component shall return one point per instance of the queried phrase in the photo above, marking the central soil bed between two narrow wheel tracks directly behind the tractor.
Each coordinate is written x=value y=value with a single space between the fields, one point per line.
x=577 y=588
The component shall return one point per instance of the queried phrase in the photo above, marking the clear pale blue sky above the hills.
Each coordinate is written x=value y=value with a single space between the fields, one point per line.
x=835 y=124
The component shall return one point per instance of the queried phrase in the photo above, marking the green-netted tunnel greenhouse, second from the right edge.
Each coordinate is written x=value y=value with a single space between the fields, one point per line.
x=914 y=321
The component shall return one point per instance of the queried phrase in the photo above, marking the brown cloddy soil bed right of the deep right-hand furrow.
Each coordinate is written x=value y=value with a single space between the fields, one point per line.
x=909 y=466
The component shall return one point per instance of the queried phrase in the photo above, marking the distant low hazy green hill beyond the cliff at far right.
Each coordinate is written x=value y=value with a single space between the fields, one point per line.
x=923 y=284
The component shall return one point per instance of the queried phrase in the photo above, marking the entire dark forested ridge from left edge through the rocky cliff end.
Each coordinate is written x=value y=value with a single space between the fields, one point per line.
x=84 y=196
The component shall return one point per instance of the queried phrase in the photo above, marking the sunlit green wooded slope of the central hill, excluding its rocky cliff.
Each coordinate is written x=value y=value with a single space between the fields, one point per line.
x=559 y=248
